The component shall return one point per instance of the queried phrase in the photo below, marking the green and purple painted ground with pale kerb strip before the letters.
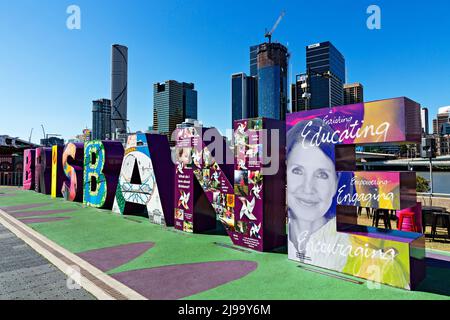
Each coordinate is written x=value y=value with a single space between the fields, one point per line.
x=130 y=258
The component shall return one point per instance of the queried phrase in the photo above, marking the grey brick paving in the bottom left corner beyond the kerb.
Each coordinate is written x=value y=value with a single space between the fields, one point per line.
x=26 y=275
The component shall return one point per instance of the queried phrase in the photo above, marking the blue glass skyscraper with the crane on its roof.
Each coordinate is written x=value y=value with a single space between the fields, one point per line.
x=272 y=66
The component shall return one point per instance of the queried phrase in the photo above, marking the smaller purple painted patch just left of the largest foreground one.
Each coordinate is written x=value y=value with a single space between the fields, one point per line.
x=109 y=258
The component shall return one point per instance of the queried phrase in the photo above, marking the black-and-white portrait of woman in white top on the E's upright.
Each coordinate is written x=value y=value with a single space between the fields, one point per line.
x=312 y=183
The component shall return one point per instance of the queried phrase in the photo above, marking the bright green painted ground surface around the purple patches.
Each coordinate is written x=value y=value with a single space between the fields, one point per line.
x=275 y=278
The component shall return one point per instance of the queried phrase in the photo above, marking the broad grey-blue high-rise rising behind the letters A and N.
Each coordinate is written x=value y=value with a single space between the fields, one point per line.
x=173 y=102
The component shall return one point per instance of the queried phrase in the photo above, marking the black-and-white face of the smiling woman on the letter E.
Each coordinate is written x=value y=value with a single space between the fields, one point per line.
x=312 y=182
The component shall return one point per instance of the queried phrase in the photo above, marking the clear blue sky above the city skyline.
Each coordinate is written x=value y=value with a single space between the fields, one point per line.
x=50 y=74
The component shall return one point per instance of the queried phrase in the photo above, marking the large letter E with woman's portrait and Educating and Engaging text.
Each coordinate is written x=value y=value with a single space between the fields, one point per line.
x=322 y=196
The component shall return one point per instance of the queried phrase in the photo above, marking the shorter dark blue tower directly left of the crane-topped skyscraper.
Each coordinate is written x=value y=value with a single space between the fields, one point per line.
x=243 y=97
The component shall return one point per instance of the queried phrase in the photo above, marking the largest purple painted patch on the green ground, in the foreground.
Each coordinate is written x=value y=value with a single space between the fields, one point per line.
x=183 y=280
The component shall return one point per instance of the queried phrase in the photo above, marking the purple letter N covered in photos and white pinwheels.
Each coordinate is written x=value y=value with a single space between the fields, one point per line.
x=252 y=214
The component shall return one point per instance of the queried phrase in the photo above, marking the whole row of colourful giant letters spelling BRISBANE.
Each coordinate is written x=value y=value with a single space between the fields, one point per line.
x=290 y=183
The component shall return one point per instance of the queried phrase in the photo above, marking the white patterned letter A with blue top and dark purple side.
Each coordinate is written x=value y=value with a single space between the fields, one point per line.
x=145 y=184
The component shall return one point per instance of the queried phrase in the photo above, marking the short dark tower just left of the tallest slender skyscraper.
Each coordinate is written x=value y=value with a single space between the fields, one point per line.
x=101 y=119
